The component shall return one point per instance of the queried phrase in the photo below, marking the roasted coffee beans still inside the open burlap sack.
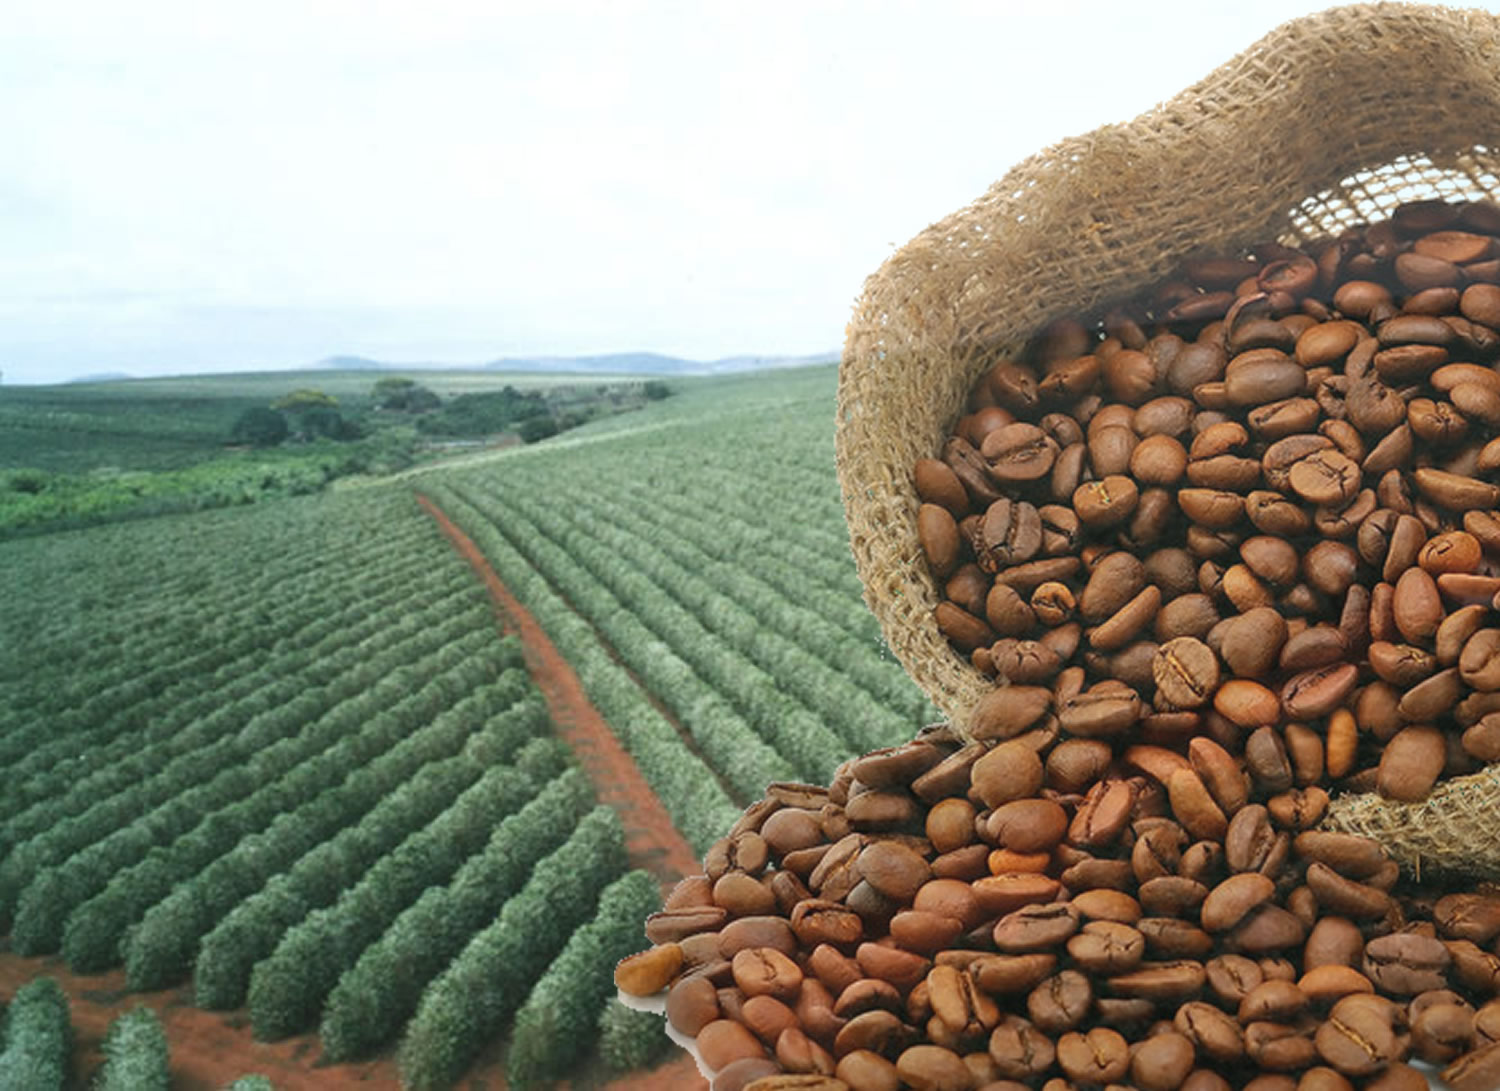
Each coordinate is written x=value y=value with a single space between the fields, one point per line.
x=1256 y=505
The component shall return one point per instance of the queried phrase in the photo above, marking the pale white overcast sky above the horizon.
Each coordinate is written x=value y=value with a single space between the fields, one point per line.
x=202 y=187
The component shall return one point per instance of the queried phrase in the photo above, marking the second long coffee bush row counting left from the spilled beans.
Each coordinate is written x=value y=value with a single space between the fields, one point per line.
x=469 y=1005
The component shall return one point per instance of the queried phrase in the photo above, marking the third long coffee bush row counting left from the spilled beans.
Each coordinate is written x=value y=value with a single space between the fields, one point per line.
x=380 y=993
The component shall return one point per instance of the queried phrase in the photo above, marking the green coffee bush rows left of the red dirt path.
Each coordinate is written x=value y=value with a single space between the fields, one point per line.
x=334 y=783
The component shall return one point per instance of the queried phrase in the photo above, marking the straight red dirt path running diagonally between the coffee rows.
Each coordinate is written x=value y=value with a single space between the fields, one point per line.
x=652 y=841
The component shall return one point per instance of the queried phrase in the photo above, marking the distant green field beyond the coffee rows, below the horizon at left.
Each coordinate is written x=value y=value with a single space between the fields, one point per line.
x=83 y=454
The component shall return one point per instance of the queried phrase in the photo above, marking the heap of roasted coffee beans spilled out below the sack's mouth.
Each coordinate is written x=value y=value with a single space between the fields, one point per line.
x=991 y=916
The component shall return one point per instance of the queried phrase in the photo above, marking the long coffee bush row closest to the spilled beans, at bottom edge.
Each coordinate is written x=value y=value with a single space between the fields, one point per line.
x=566 y=1005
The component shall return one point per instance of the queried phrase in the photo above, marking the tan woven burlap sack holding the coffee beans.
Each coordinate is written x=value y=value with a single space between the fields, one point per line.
x=1330 y=121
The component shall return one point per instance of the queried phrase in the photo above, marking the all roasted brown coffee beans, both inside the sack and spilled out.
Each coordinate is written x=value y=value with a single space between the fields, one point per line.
x=1228 y=550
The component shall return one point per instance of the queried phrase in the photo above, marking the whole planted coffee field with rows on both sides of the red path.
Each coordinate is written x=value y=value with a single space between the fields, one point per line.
x=286 y=762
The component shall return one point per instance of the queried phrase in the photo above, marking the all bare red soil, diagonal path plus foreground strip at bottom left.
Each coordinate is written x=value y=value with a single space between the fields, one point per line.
x=212 y=1050
